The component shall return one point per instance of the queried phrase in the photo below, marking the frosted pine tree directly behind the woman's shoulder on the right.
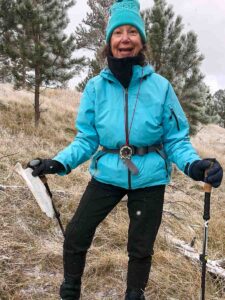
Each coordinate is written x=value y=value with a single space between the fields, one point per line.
x=175 y=55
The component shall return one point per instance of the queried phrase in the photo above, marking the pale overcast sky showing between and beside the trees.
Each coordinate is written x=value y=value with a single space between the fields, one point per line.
x=205 y=17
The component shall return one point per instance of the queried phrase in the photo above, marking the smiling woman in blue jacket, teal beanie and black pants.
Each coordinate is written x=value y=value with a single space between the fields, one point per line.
x=134 y=115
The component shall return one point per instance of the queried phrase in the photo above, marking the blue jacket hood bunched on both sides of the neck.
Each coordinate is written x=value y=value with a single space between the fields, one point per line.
x=137 y=72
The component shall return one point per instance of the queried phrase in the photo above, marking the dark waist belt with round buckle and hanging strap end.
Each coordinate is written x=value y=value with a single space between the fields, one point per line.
x=126 y=151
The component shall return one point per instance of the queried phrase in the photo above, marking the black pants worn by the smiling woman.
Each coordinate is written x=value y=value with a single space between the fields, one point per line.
x=145 y=207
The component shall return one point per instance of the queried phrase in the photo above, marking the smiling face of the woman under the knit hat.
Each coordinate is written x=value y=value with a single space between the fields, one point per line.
x=125 y=42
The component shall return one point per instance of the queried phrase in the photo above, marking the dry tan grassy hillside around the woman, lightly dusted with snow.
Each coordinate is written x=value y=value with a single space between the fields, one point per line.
x=31 y=247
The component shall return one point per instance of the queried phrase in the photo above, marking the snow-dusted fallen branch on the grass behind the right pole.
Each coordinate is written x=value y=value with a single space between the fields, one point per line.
x=213 y=266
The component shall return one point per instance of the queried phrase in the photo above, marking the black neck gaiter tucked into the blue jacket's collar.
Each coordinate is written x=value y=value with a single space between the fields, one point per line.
x=122 y=68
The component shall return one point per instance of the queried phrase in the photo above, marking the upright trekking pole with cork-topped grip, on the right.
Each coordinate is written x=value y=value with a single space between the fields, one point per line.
x=206 y=217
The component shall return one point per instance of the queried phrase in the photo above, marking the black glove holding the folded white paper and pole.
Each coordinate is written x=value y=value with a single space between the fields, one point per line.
x=45 y=166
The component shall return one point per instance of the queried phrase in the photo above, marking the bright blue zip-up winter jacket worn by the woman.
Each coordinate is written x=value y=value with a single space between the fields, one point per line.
x=158 y=119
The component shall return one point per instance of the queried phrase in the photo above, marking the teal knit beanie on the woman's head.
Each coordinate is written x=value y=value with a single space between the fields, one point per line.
x=125 y=12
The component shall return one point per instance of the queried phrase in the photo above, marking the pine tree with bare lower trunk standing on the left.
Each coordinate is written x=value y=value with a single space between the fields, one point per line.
x=40 y=51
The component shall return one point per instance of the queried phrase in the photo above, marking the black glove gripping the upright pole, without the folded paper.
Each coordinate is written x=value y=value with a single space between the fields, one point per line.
x=197 y=169
